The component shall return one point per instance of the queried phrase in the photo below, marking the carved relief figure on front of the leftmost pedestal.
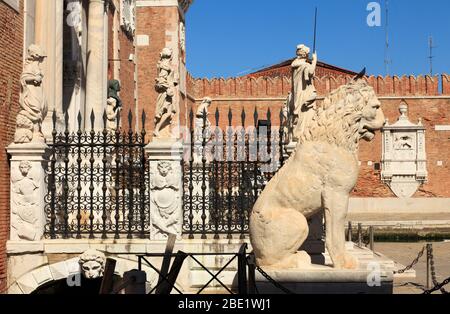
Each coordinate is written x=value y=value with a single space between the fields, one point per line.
x=25 y=205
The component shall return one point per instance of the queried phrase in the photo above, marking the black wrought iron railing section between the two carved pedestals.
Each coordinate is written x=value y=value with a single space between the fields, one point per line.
x=97 y=182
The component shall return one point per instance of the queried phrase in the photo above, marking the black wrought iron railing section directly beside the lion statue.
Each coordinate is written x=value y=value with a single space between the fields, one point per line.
x=226 y=171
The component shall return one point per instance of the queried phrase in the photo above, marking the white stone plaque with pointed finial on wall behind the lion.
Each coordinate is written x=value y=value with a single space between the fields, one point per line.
x=404 y=156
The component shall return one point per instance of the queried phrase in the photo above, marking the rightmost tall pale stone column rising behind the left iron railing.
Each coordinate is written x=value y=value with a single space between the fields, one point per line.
x=96 y=71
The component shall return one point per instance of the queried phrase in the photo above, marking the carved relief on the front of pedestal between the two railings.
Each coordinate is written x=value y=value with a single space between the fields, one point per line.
x=165 y=186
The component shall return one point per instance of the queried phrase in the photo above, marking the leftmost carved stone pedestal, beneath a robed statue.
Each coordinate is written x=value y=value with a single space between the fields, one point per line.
x=28 y=190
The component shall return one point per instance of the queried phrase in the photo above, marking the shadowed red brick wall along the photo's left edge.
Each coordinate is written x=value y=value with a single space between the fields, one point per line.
x=11 y=54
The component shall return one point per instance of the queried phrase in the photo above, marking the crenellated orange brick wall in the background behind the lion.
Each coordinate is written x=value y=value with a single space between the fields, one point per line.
x=264 y=93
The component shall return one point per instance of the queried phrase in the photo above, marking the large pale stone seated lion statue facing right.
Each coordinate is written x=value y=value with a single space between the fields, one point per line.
x=318 y=176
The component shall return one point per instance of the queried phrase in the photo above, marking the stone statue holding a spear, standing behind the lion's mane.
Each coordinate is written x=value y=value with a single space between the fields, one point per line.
x=304 y=92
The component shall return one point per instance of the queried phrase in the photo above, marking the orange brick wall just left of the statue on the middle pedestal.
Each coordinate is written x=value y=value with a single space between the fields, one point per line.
x=154 y=22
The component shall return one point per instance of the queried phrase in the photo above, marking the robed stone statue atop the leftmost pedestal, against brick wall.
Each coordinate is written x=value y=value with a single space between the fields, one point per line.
x=33 y=105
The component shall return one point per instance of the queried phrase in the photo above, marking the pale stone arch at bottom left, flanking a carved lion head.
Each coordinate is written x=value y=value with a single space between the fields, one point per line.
x=33 y=280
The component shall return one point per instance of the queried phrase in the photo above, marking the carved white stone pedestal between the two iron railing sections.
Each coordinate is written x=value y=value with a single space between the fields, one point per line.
x=166 y=188
